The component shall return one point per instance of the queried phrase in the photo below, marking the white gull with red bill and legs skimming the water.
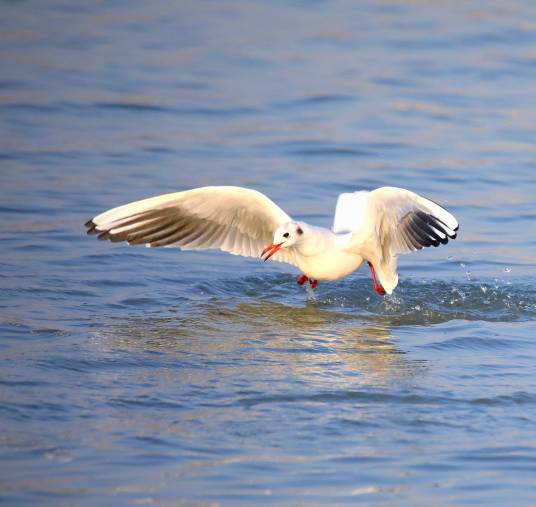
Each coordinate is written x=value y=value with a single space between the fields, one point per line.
x=369 y=226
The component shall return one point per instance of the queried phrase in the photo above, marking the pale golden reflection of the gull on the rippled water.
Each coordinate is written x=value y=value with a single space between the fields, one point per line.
x=306 y=341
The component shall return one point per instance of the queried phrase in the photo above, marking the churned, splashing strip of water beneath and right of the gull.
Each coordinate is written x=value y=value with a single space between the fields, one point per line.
x=415 y=302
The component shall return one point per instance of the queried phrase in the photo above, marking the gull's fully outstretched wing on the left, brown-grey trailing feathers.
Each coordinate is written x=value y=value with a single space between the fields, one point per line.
x=237 y=220
